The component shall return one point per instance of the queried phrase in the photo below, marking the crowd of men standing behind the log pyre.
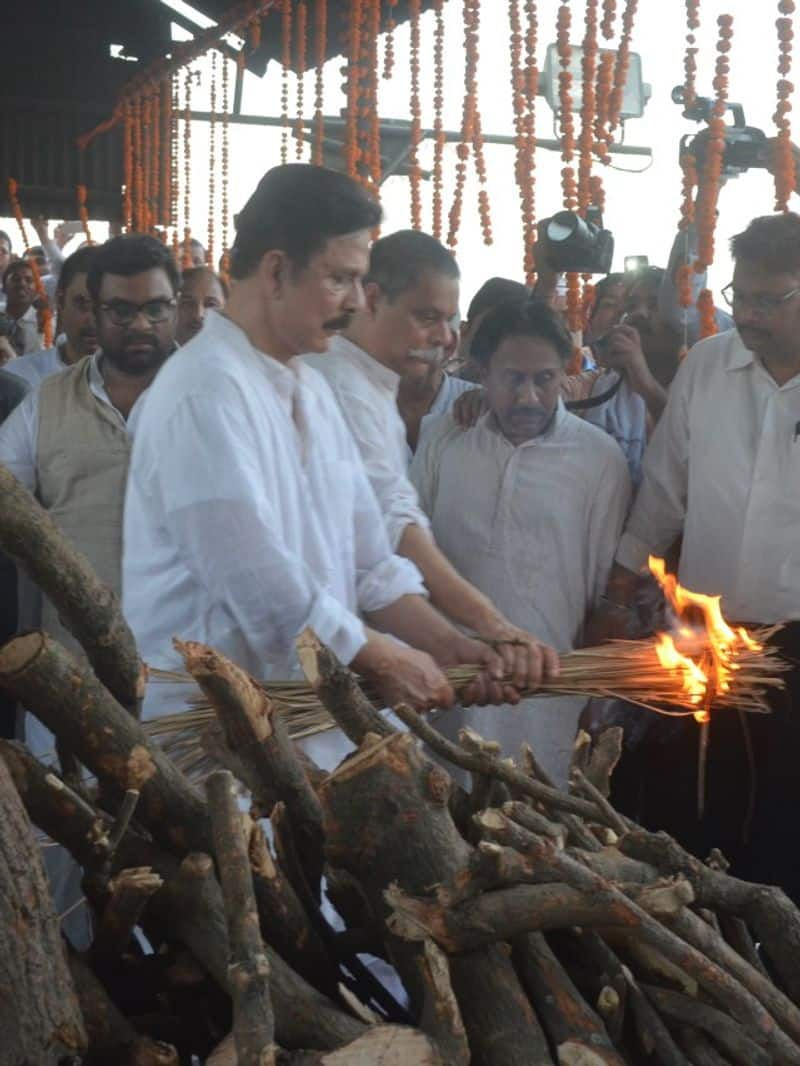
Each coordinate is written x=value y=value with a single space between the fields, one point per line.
x=319 y=442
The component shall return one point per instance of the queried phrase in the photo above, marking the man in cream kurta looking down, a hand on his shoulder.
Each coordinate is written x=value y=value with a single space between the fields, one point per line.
x=529 y=505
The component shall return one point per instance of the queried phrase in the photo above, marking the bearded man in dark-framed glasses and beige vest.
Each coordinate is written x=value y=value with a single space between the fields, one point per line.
x=70 y=441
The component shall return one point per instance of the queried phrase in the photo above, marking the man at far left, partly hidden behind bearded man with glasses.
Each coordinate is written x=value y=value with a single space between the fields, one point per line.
x=76 y=324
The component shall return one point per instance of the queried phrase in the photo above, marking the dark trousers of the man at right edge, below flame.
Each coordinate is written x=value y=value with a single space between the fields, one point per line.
x=659 y=784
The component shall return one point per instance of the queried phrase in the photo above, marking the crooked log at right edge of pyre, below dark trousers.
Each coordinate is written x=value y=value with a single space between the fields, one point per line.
x=769 y=912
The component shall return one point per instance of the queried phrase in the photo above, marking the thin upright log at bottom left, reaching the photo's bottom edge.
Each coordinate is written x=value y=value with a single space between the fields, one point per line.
x=249 y=970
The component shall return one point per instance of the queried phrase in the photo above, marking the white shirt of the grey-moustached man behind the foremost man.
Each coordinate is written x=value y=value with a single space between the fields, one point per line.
x=366 y=393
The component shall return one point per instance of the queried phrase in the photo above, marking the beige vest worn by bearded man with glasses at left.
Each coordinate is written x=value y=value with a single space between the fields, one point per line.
x=83 y=456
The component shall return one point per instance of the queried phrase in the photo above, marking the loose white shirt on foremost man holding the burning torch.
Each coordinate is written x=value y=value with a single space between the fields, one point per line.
x=249 y=515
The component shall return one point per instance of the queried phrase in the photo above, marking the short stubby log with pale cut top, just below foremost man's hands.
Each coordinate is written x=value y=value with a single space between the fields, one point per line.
x=339 y=690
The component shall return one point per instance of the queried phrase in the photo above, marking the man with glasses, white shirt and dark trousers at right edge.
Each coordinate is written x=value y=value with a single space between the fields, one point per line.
x=724 y=472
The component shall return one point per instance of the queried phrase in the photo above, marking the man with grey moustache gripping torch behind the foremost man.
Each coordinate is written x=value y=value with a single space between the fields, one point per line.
x=412 y=295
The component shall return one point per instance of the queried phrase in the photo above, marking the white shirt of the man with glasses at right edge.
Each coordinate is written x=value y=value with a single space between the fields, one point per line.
x=724 y=469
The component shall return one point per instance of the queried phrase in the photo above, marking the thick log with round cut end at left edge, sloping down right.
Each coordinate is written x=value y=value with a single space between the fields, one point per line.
x=75 y=706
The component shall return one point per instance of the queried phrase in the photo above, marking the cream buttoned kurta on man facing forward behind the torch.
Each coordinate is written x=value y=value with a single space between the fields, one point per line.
x=535 y=528
